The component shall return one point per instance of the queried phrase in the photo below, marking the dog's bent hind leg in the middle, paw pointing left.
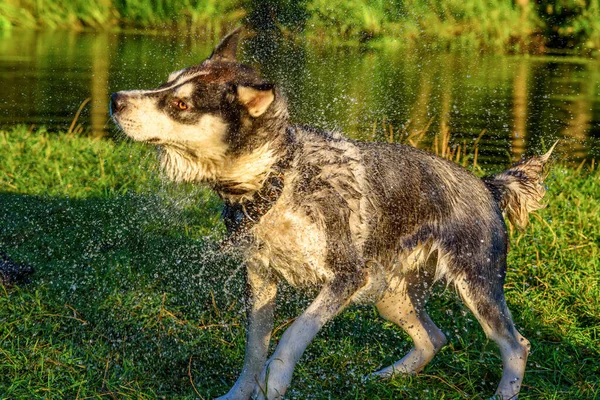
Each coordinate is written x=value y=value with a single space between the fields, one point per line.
x=404 y=305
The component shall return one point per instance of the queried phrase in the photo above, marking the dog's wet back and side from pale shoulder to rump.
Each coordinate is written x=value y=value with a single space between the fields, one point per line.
x=399 y=200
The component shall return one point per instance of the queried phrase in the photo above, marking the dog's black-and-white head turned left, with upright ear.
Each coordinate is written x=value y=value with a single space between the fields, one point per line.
x=206 y=115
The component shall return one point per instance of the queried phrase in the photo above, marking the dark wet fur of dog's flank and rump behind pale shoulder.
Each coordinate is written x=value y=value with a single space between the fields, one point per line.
x=421 y=197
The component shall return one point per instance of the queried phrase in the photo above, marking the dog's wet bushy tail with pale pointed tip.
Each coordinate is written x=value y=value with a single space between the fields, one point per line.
x=519 y=190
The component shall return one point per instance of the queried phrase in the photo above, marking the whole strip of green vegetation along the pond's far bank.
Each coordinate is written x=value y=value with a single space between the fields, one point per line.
x=507 y=25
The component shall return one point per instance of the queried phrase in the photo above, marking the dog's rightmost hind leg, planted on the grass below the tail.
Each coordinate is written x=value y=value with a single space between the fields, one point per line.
x=489 y=307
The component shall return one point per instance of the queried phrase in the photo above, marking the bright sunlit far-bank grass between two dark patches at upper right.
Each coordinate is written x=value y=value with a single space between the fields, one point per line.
x=497 y=24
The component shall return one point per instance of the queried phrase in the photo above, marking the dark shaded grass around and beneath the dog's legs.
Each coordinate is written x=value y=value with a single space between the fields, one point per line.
x=131 y=300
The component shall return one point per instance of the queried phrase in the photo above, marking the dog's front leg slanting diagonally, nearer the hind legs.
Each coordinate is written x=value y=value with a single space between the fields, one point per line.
x=278 y=372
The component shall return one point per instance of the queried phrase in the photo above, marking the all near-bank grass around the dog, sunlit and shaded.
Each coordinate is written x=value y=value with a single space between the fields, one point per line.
x=131 y=300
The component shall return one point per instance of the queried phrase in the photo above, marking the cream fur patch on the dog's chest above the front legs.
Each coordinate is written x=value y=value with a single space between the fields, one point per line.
x=290 y=244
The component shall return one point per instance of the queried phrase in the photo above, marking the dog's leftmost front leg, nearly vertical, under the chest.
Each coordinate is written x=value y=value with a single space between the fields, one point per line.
x=260 y=300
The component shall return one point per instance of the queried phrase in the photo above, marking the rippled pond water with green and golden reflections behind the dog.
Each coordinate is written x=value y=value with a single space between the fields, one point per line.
x=520 y=102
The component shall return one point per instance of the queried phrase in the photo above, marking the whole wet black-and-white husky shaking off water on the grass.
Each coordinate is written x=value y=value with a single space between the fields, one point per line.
x=372 y=223
